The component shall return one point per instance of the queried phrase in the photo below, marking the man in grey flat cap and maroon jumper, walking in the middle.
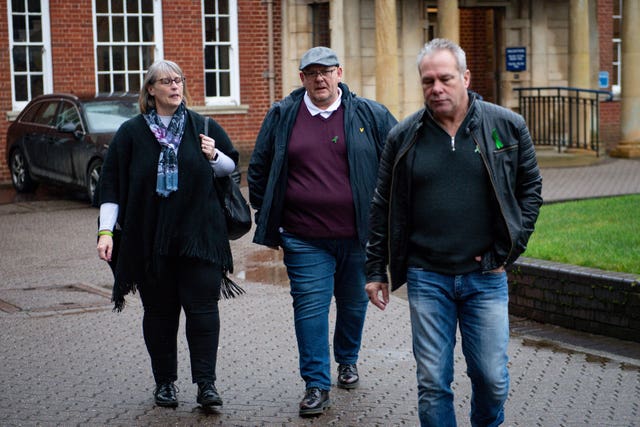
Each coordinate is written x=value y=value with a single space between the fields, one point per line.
x=311 y=179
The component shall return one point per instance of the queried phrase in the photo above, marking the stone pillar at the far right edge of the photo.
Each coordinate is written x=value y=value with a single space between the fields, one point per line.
x=629 y=145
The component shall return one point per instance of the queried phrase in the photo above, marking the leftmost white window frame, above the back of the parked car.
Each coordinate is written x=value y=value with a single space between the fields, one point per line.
x=47 y=65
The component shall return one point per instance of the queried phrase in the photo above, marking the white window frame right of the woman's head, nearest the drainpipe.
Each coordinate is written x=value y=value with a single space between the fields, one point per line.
x=234 y=64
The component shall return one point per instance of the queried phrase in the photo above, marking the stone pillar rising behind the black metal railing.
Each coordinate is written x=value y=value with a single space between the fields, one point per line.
x=579 y=62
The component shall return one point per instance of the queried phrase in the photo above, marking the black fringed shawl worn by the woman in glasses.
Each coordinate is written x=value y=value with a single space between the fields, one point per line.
x=189 y=222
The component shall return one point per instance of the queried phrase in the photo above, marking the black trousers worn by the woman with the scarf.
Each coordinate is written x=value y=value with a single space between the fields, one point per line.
x=192 y=285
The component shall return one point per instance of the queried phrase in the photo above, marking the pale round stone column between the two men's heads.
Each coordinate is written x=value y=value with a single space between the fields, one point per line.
x=387 y=79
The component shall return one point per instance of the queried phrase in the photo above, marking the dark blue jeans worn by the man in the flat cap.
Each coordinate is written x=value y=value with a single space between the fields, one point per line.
x=319 y=269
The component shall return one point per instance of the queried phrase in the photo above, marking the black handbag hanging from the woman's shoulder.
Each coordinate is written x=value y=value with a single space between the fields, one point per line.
x=237 y=212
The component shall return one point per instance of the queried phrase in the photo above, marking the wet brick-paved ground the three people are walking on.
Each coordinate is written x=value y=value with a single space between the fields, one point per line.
x=68 y=360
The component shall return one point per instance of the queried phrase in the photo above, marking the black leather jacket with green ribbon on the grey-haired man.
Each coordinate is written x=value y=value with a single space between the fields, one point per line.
x=515 y=180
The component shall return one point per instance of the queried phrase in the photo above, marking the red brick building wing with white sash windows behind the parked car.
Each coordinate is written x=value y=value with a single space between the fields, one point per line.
x=95 y=46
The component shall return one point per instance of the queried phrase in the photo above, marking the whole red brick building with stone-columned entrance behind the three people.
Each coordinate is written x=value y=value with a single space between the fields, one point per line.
x=241 y=55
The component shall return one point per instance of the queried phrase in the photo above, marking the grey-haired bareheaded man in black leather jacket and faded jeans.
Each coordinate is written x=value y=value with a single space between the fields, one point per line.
x=457 y=197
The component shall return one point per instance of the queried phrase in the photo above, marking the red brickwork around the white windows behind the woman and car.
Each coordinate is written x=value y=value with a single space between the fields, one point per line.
x=74 y=68
